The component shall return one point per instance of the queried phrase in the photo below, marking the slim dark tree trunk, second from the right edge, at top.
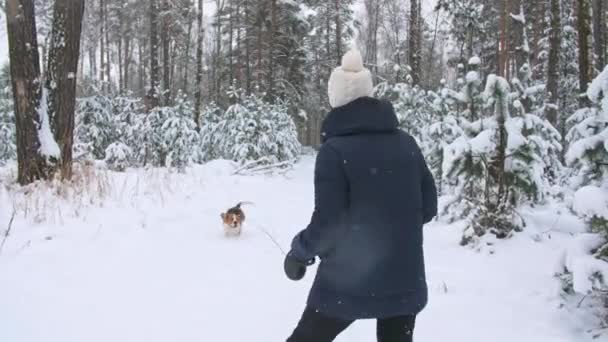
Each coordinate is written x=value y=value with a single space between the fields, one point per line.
x=584 y=35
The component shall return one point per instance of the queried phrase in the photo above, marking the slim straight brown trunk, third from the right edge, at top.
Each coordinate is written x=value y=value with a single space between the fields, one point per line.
x=555 y=42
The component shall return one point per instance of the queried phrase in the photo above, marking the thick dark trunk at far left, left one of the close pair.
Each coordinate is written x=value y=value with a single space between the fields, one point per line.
x=25 y=78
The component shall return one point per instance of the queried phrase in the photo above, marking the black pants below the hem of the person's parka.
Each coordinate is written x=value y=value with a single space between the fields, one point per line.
x=316 y=327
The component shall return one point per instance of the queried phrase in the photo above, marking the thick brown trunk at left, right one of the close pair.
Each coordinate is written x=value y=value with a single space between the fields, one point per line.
x=61 y=78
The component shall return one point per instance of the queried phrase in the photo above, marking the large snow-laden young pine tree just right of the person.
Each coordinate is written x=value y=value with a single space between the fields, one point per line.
x=499 y=161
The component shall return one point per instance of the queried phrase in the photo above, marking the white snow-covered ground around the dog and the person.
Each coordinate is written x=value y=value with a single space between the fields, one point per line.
x=150 y=263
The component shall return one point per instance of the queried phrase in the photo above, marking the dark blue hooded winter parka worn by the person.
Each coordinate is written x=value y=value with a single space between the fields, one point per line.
x=373 y=193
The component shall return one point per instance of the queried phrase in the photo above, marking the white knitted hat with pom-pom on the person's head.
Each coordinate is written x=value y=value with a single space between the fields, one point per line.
x=349 y=81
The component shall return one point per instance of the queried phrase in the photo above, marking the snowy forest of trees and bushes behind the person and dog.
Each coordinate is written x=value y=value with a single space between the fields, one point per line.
x=507 y=98
